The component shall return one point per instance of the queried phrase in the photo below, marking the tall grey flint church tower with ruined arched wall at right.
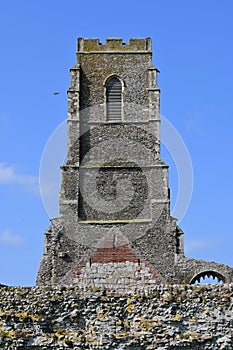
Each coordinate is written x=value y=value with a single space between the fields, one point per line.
x=114 y=227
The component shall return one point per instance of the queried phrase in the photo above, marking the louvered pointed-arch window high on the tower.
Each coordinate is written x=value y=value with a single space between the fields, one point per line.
x=114 y=99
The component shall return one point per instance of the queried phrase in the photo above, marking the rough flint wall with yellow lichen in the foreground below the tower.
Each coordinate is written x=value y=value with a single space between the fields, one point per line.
x=165 y=317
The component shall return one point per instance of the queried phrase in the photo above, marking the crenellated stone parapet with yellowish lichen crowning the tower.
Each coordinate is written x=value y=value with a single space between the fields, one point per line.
x=114 y=45
